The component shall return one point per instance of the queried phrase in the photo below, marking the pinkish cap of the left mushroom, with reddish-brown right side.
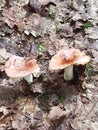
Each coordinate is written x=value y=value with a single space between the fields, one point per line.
x=19 y=67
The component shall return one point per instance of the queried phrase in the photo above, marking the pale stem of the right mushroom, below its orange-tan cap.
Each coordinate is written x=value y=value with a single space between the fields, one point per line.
x=68 y=73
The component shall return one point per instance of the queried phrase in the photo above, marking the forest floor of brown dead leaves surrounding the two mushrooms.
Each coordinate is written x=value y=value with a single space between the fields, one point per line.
x=39 y=29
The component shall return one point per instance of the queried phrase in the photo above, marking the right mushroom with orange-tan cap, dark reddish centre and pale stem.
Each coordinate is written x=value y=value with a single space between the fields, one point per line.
x=65 y=59
